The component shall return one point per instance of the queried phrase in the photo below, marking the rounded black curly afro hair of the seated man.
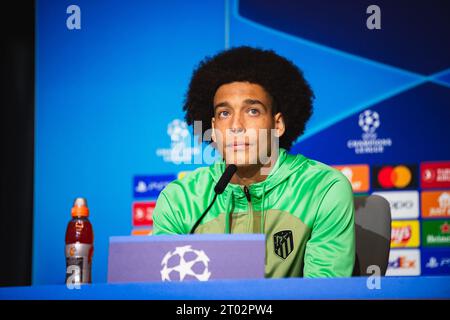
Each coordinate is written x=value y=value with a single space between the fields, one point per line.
x=290 y=92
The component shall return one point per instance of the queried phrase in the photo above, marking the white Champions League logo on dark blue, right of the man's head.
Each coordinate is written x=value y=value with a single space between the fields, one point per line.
x=369 y=121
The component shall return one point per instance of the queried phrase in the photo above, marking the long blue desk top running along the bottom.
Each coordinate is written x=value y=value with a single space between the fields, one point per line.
x=271 y=289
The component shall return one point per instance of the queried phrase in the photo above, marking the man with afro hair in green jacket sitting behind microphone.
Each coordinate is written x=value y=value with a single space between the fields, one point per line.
x=253 y=104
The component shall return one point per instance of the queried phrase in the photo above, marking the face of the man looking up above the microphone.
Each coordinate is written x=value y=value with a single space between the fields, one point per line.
x=243 y=121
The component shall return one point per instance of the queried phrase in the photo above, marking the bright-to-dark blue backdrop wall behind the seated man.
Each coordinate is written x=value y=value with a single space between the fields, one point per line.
x=109 y=96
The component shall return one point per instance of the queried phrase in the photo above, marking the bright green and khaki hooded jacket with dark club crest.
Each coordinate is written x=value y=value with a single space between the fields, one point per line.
x=304 y=207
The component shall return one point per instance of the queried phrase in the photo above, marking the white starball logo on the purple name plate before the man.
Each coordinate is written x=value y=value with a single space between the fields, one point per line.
x=185 y=263
